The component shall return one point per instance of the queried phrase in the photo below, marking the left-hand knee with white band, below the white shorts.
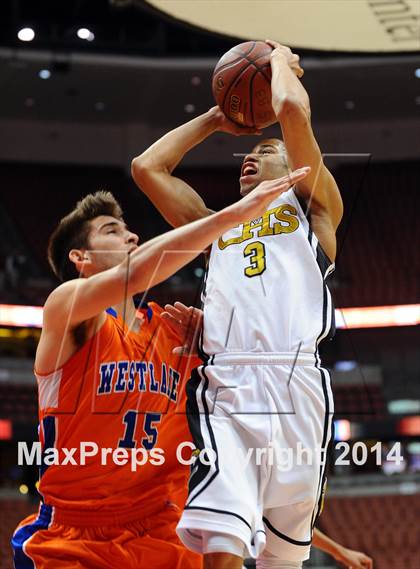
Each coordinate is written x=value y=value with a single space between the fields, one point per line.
x=222 y=551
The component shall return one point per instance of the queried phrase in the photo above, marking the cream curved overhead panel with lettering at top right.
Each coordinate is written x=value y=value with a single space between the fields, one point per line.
x=342 y=25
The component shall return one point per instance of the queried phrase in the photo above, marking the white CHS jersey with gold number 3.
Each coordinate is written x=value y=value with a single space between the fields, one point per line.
x=265 y=289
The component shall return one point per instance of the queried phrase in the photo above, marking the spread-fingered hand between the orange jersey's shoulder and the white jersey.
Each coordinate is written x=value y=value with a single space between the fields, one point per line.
x=185 y=322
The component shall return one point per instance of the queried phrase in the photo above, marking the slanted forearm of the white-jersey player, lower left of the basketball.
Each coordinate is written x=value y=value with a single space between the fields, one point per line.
x=168 y=151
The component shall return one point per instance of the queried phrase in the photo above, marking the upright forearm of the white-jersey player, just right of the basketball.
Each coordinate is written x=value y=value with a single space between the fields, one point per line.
x=287 y=90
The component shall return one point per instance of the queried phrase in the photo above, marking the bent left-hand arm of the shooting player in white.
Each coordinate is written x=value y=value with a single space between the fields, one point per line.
x=152 y=170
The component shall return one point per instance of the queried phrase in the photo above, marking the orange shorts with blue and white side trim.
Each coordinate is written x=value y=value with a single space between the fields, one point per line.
x=52 y=540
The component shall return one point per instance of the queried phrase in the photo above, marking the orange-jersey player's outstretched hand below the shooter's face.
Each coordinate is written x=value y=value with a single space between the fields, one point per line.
x=254 y=204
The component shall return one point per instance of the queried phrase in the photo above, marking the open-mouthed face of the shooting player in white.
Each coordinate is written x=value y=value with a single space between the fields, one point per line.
x=267 y=161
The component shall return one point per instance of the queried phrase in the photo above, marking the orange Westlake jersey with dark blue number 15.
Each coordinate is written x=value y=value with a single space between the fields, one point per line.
x=115 y=395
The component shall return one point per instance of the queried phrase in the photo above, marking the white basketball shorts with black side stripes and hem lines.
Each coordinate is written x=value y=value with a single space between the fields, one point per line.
x=267 y=420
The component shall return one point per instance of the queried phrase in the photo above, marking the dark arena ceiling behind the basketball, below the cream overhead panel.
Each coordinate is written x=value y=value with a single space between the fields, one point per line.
x=145 y=73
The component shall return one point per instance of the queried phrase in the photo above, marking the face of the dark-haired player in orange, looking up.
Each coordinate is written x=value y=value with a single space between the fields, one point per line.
x=109 y=243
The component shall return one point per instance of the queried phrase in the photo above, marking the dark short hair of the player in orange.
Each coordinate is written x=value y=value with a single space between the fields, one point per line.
x=73 y=231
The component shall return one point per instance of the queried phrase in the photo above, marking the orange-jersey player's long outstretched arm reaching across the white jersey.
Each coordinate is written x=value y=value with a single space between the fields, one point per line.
x=82 y=299
